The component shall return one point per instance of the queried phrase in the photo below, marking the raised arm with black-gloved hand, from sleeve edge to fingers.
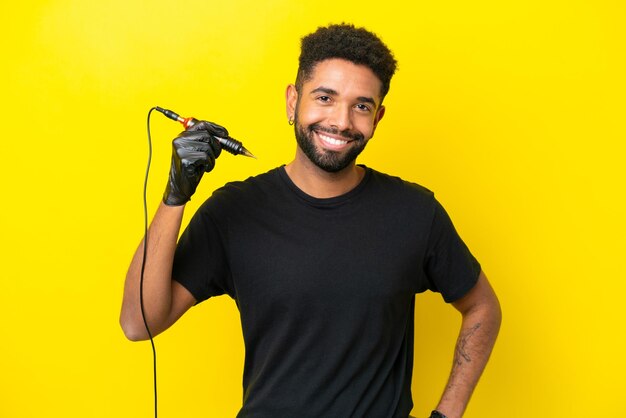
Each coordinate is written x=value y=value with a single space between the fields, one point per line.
x=165 y=300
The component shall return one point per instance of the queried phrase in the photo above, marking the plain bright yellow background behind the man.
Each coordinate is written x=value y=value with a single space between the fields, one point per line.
x=513 y=112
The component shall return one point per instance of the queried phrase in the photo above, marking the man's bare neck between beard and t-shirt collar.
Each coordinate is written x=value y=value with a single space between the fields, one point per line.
x=321 y=184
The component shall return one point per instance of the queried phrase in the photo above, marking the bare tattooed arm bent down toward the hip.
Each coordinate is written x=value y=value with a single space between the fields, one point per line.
x=480 y=325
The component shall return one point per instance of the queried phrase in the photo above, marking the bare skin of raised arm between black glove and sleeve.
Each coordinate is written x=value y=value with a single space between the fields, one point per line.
x=164 y=299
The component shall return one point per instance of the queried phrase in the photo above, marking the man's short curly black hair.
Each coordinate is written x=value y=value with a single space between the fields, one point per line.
x=345 y=41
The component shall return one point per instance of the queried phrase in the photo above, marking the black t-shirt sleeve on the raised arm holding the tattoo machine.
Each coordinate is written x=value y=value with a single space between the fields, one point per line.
x=200 y=261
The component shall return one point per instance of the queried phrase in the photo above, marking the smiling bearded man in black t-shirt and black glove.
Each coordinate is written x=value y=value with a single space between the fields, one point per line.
x=322 y=256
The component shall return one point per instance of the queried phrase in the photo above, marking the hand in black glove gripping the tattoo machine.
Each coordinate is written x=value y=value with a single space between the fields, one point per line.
x=193 y=153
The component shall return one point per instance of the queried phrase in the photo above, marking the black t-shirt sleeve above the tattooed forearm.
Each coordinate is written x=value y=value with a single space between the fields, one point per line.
x=450 y=267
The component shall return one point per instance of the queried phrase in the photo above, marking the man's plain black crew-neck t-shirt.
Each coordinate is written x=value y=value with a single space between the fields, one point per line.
x=325 y=288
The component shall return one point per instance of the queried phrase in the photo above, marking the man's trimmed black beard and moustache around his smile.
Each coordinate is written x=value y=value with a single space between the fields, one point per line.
x=329 y=161
